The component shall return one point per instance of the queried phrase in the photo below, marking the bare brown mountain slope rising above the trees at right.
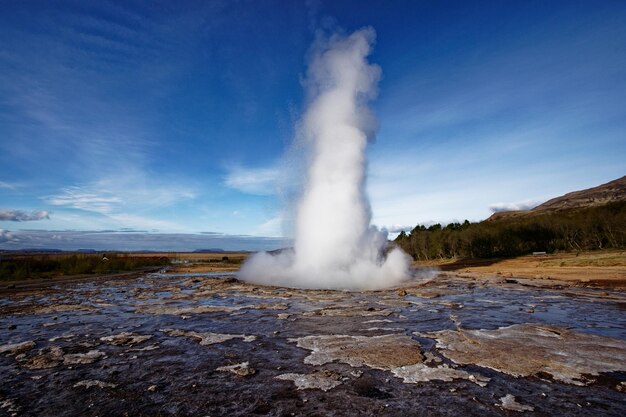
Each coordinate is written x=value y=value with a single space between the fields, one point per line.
x=610 y=192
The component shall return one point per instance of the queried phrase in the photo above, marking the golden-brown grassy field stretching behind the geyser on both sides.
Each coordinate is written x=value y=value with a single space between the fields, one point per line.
x=604 y=267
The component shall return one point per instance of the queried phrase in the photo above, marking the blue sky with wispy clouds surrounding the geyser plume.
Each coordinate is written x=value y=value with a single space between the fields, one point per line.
x=138 y=120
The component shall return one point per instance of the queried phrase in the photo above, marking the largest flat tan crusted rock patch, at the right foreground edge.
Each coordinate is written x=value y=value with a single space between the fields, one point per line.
x=532 y=349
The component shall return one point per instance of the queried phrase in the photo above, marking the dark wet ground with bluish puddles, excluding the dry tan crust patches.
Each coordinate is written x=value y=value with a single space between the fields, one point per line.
x=176 y=375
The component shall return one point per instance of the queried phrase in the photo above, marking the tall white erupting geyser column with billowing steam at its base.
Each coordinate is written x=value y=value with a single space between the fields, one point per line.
x=335 y=246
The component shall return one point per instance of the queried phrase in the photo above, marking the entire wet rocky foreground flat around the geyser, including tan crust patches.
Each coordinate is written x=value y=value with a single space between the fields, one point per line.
x=208 y=344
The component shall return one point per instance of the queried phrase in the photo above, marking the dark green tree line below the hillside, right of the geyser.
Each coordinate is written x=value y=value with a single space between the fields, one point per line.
x=600 y=227
